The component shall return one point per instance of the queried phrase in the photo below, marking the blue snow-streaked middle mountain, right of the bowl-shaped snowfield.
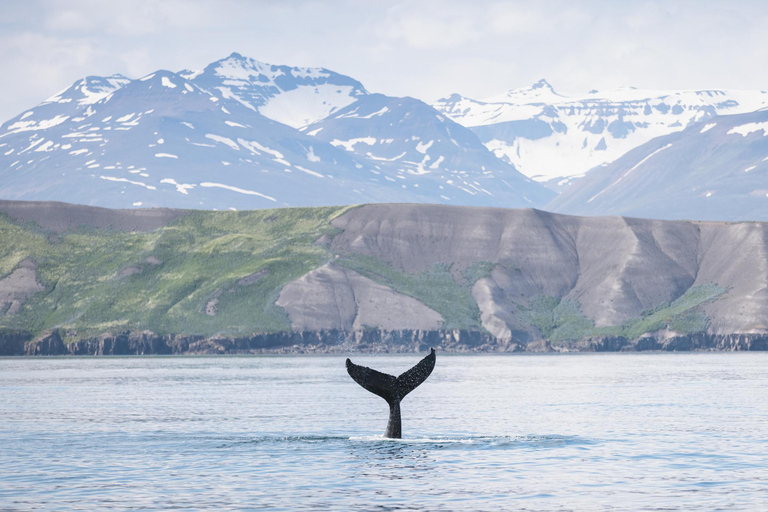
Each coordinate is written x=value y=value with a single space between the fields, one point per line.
x=413 y=146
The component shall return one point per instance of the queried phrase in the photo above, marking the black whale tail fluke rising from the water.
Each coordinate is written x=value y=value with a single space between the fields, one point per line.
x=392 y=389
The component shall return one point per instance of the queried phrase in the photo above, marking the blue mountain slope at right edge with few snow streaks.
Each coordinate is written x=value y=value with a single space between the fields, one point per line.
x=714 y=170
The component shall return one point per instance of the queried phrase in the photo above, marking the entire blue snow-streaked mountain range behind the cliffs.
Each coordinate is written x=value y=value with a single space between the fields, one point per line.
x=243 y=134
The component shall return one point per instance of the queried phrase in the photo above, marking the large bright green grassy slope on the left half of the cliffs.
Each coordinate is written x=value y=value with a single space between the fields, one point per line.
x=203 y=254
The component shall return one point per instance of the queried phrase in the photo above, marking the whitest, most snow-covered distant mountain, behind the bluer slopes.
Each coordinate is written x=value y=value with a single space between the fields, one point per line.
x=553 y=138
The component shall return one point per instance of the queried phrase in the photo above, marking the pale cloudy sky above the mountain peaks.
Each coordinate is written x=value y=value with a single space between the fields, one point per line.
x=426 y=49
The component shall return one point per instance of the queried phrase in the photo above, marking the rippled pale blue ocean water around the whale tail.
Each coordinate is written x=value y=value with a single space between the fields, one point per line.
x=500 y=432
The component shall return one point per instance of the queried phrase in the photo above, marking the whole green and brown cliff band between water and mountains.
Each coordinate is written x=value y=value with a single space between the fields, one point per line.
x=385 y=277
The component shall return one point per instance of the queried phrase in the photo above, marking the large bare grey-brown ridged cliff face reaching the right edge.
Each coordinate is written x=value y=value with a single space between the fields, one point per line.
x=615 y=268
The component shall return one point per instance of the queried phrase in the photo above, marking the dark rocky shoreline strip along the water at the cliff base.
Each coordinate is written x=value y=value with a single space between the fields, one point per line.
x=52 y=343
